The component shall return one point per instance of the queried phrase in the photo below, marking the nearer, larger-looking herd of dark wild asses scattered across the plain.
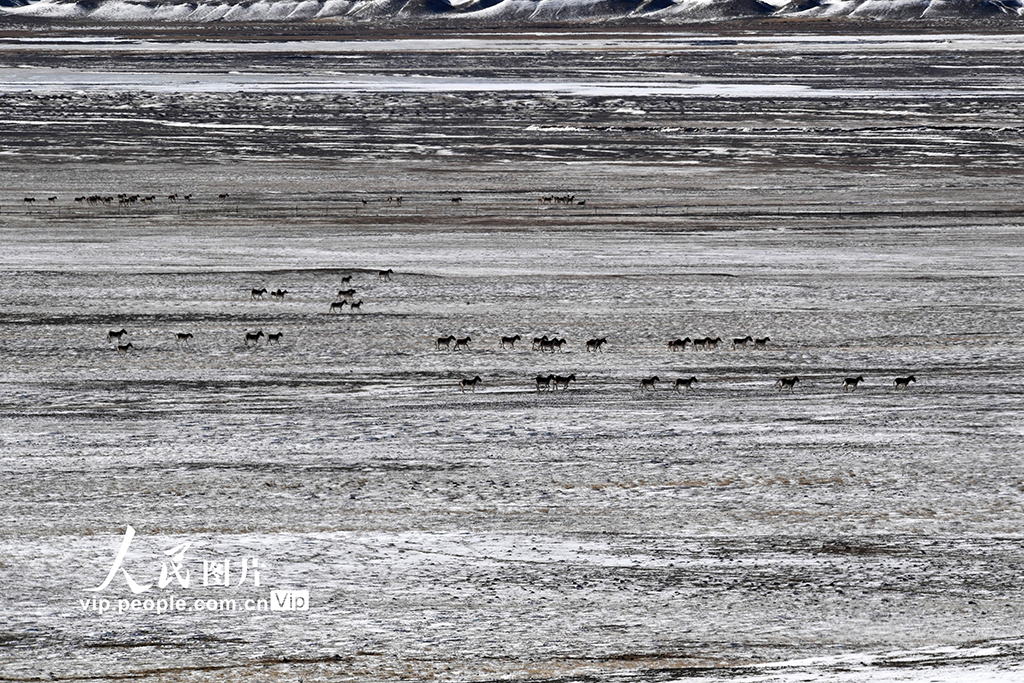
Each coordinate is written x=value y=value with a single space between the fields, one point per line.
x=542 y=345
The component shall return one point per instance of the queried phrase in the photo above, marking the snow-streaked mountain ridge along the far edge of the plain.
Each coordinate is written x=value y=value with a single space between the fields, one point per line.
x=513 y=11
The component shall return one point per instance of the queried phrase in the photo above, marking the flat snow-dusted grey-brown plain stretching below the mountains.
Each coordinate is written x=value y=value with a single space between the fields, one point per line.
x=732 y=533
